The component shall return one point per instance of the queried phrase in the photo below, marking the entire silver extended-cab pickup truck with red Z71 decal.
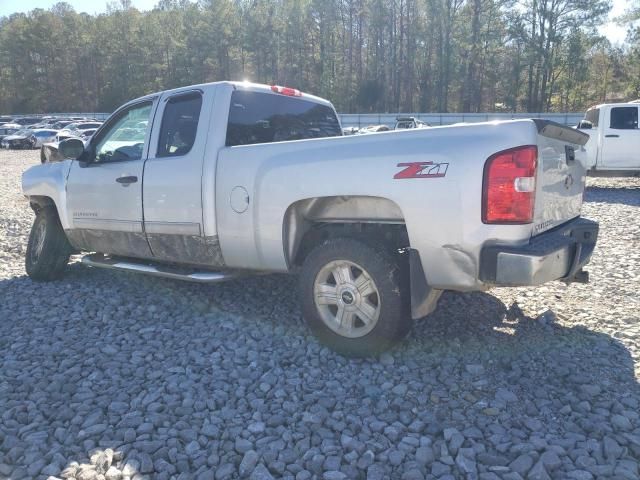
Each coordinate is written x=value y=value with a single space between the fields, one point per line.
x=216 y=181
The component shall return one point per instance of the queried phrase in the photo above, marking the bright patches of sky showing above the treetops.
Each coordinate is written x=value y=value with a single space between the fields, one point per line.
x=615 y=33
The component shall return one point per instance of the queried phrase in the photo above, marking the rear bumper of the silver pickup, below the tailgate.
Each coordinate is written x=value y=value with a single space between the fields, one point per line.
x=558 y=254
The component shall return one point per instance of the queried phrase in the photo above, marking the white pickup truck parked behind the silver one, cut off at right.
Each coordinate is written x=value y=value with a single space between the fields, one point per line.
x=614 y=147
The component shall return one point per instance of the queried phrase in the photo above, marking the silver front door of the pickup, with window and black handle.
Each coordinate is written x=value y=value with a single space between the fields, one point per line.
x=104 y=188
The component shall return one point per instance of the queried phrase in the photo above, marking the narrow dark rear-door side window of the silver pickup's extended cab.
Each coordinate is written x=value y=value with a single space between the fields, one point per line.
x=179 y=125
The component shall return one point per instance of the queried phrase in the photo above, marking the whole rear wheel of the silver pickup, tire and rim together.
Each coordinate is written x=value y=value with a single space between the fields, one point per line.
x=354 y=297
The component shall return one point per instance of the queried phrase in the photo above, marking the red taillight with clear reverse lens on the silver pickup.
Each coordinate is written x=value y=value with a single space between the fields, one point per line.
x=509 y=186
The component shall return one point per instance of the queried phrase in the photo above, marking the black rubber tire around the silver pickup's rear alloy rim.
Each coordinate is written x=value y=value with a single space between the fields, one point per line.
x=390 y=278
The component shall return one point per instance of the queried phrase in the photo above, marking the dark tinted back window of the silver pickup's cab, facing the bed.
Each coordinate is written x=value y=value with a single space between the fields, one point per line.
x=260 y=117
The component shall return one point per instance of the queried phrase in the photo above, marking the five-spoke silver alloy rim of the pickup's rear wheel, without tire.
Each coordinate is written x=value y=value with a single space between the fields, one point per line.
x=347 y=299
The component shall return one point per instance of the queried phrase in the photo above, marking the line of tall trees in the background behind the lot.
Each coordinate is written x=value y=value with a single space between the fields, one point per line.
x=364 y=55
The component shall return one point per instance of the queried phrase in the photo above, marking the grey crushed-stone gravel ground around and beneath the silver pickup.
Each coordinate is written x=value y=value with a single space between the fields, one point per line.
x=105 y=375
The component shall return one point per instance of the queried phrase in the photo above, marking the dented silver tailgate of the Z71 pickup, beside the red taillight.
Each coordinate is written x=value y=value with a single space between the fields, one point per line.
x=561 y=176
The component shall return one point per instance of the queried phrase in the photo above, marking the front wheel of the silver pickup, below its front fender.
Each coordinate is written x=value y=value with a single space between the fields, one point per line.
x=48 y=249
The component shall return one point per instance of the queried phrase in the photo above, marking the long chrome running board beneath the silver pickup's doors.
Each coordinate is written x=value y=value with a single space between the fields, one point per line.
x=177 y=273
